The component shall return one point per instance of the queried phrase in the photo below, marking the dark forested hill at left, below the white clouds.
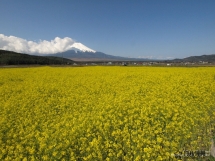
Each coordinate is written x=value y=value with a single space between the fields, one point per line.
x=13 y=58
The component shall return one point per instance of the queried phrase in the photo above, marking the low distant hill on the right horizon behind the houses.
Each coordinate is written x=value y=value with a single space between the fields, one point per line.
x=205 y=58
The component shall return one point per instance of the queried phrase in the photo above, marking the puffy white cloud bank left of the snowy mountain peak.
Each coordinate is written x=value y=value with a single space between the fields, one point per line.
x=17 y=44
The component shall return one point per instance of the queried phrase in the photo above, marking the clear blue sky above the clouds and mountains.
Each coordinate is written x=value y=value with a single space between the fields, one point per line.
x=130 y=28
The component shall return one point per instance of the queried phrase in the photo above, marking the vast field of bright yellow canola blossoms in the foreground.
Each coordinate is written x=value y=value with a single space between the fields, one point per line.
x=105 y=113
